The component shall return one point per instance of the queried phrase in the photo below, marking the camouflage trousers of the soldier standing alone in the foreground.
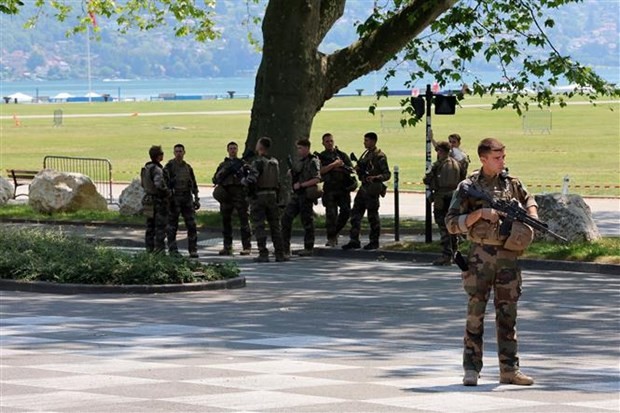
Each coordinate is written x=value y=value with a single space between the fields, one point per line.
x=492 y=268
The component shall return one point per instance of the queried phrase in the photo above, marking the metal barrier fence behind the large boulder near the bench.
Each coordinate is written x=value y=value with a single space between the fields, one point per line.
x=97 y=169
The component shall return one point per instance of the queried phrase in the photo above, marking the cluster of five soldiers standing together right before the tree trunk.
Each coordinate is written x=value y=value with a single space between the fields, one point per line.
x=254 y=184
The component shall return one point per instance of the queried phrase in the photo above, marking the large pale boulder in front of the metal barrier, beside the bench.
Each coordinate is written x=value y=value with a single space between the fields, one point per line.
x=52 y=191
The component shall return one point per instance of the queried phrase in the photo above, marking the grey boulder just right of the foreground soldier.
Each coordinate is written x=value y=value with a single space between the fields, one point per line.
x=567 y=215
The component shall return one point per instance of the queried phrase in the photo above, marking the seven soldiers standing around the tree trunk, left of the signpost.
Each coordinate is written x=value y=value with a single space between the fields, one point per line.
x=251 y=187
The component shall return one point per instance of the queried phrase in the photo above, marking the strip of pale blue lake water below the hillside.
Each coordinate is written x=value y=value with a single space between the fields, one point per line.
x=145 y=89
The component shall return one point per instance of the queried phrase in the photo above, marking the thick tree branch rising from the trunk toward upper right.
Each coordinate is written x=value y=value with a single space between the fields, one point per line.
x=376 y=48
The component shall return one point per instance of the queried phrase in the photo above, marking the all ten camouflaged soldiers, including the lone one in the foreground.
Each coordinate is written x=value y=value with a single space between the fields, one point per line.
x=253 y=183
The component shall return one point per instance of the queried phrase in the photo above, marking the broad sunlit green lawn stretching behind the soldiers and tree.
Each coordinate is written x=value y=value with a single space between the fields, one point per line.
x=584 y=141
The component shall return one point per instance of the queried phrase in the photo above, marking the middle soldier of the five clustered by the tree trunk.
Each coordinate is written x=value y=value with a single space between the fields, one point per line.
x=305 y=176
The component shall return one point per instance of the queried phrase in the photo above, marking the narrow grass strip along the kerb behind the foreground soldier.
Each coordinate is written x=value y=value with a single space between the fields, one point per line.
x=605 y=250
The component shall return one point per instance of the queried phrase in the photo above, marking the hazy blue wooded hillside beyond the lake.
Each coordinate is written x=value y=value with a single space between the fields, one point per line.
x=587 y=31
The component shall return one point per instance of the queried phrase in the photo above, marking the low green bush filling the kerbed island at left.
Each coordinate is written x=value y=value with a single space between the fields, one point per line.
x=44 y=255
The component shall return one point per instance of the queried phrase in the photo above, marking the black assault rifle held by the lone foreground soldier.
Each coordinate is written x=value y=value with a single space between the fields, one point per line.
x=511 y=212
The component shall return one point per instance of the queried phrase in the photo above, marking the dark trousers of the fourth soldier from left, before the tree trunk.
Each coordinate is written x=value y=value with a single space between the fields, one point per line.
x=264 y=207
